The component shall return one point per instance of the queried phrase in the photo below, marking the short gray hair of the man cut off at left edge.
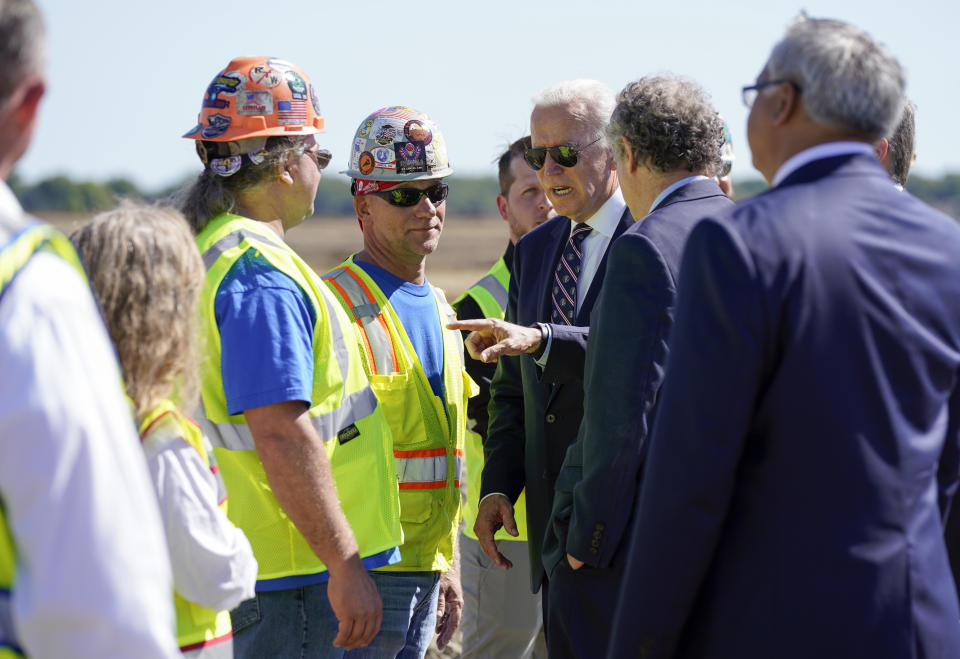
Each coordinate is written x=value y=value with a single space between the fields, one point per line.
x=22 y=44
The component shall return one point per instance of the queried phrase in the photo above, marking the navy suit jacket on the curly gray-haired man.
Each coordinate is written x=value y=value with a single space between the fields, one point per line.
x=625 y=362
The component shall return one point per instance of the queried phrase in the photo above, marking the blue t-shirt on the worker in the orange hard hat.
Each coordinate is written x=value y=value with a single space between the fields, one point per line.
x=266 y=325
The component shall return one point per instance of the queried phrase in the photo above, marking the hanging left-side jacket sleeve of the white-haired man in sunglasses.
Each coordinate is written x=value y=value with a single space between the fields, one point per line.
x=504 y=445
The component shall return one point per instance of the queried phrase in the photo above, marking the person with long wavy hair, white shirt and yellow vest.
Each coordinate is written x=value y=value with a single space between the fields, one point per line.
x=146 y=274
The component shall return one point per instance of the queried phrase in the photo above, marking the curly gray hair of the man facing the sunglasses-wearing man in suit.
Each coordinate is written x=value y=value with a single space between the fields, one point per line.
x=669 y=123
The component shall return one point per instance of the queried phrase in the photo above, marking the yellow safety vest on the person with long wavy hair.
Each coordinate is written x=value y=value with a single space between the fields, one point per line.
x=198 y=629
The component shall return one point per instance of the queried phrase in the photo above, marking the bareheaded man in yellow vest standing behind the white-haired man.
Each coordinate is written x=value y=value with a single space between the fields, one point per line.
x=514 y=629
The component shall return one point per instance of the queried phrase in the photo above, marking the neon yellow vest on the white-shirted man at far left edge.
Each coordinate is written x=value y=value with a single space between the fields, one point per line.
x=31 y=239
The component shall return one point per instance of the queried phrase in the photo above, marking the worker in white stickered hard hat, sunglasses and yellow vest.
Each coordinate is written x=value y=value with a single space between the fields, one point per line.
x=415 y=365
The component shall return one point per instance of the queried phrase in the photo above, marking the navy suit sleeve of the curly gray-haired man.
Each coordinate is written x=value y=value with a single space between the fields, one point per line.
x=625 y=367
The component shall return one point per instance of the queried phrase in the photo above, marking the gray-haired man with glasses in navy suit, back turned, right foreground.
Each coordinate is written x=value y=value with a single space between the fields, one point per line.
x=805 y=449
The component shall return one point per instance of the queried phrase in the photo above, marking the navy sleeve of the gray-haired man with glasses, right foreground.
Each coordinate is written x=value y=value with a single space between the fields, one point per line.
x=690 y=474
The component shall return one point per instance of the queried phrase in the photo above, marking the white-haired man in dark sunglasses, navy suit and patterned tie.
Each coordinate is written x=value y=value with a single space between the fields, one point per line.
x=558 y=271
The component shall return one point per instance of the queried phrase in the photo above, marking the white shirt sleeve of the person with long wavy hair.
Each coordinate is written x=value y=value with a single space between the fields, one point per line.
x=213 y=564
